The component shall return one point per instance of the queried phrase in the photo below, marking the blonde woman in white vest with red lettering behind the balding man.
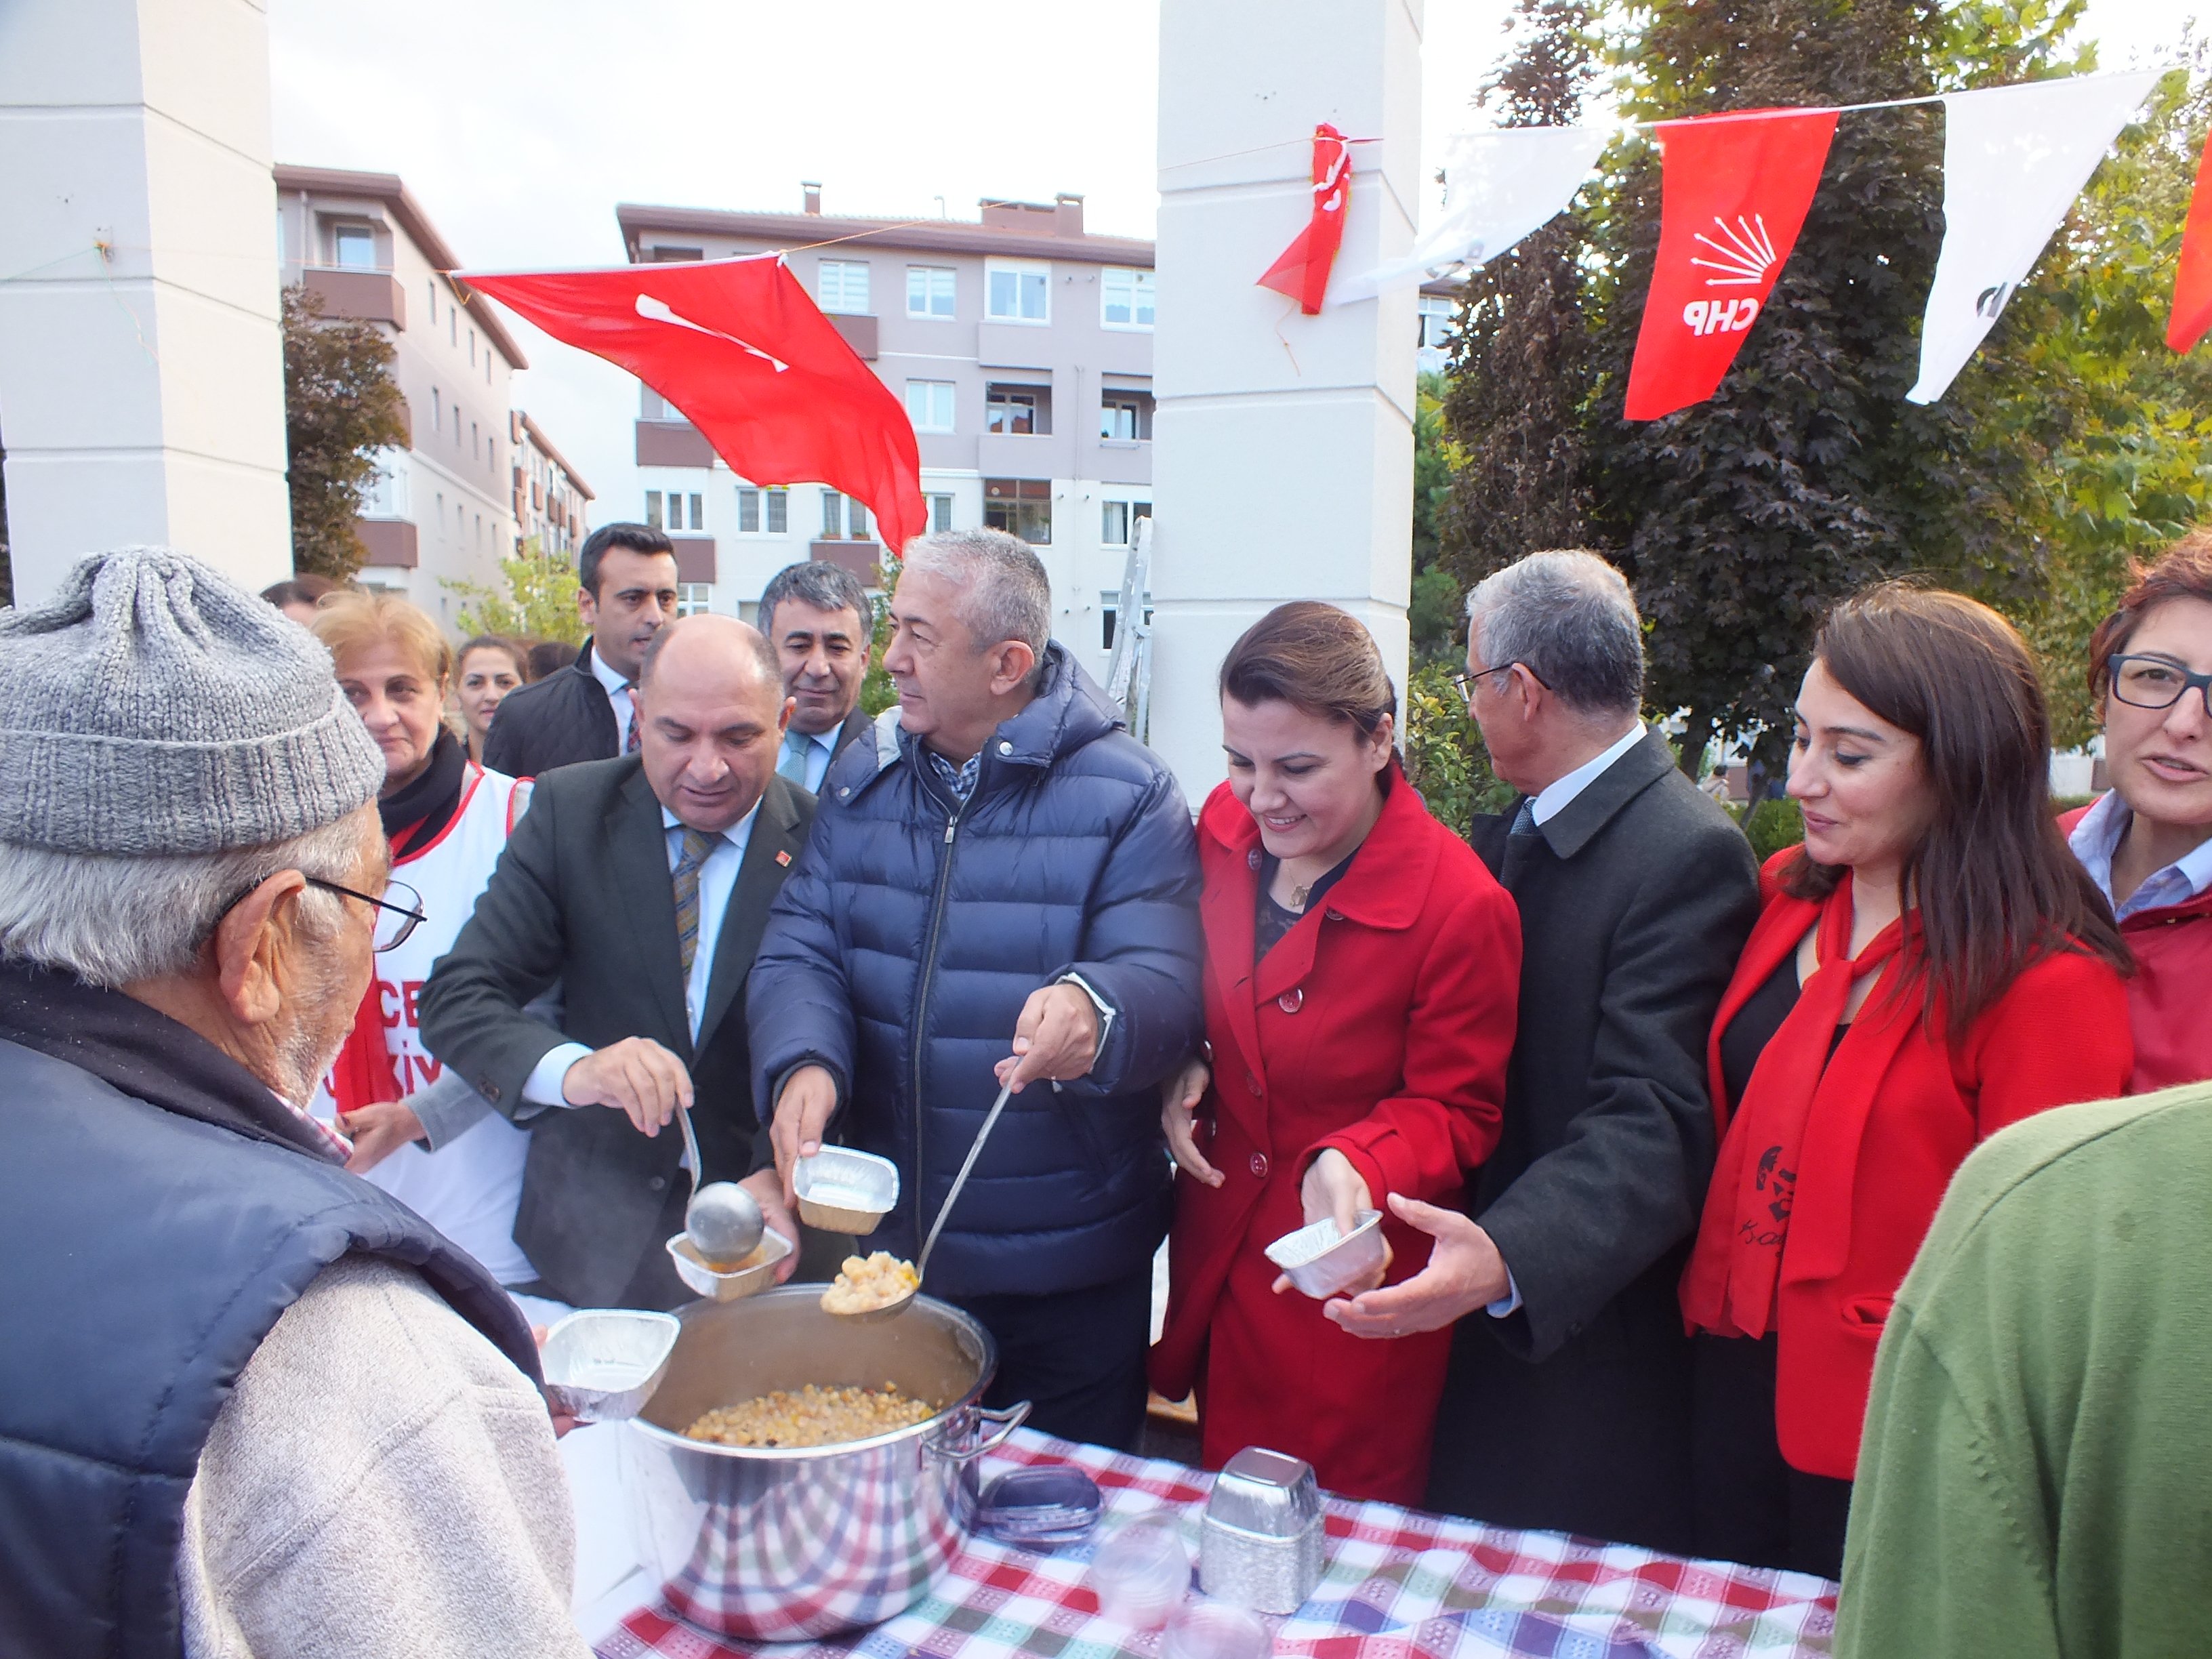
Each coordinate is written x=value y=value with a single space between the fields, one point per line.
x=417 y=1131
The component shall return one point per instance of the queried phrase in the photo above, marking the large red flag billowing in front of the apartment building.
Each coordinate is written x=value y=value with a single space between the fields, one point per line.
x=749 y=357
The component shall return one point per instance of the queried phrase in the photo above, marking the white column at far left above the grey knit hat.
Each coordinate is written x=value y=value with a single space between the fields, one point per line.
x=140 y=355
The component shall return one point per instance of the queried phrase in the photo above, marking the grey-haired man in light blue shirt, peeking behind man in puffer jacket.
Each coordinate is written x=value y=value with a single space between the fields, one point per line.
x=820 y=620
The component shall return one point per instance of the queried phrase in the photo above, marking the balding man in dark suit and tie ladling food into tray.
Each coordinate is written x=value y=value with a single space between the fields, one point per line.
x=643 y=886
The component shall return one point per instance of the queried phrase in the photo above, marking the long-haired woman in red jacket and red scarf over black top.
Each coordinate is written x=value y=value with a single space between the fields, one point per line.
x=1930 y=968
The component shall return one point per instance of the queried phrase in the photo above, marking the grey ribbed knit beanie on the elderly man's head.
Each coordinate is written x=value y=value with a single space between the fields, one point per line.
x=158 y=707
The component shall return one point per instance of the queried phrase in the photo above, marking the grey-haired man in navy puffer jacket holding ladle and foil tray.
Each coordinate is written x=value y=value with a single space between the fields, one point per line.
x=1001 y=888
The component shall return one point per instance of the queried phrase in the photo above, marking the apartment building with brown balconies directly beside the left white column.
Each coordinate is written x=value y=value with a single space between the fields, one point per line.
x=444 y=510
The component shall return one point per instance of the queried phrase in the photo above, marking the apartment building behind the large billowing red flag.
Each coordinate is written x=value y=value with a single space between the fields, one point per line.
x=1023 y=351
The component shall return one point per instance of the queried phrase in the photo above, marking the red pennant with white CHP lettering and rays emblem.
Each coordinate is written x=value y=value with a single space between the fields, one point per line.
x=1733 y=200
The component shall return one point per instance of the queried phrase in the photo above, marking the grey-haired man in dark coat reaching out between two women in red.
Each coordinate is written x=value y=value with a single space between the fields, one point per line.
x=1569 y=1392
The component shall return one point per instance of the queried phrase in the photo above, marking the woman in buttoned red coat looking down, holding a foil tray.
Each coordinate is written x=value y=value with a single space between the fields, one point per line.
x=1361 y=974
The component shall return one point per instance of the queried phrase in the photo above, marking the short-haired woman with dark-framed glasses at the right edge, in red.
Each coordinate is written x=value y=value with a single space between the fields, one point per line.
x=2149 y=839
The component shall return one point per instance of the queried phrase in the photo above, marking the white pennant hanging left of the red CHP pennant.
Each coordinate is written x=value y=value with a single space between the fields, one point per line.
x=1499 y=187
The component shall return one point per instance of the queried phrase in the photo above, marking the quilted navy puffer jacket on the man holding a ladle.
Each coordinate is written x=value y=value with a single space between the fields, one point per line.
x=912 y=932
